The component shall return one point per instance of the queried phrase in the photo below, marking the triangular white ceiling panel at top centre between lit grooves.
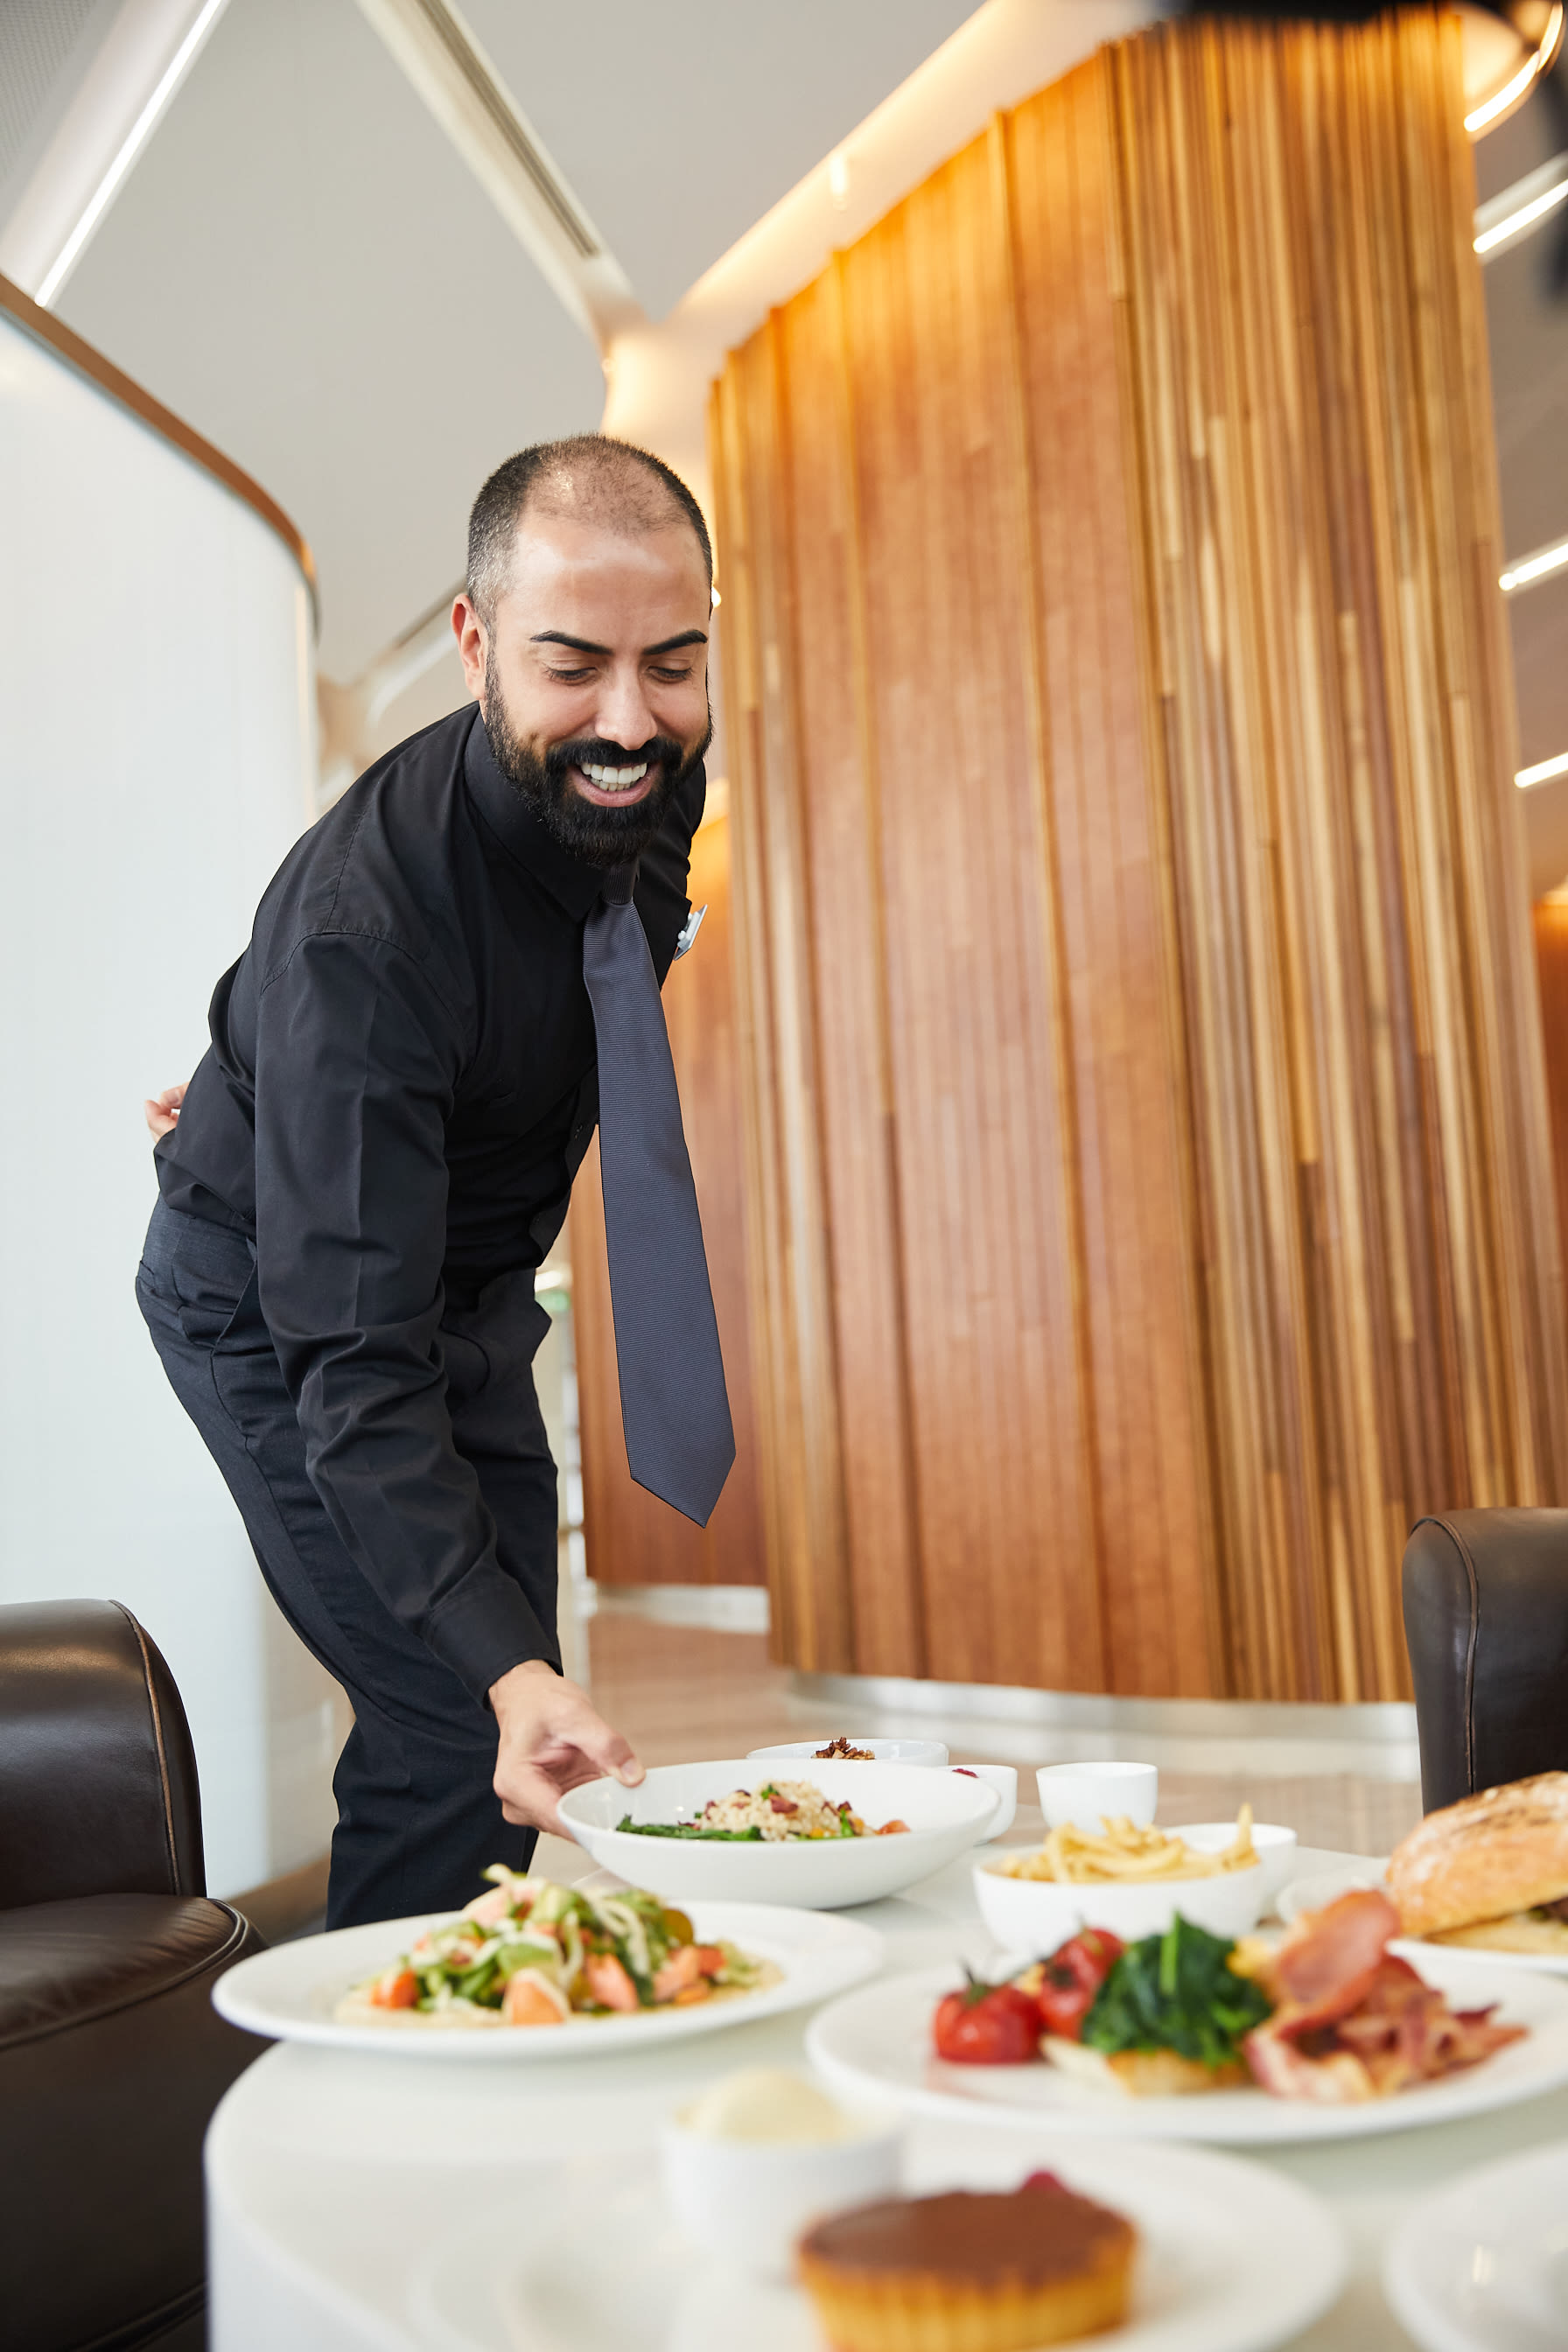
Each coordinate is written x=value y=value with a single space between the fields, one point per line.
x=681 y=126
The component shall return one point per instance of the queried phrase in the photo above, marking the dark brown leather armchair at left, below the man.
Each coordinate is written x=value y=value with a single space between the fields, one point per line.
x=112 y=2054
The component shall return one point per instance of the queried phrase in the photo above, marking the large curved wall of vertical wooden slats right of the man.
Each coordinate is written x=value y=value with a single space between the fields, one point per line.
x=1146 y=1128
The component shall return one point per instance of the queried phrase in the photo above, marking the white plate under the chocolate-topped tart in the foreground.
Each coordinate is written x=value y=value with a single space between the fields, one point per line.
x=1235 y=2257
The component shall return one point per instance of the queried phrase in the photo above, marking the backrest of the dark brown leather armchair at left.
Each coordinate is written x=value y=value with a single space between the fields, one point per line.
x=98 y=1772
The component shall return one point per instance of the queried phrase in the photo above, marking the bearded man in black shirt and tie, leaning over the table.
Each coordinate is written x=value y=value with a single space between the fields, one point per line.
x=448 y=984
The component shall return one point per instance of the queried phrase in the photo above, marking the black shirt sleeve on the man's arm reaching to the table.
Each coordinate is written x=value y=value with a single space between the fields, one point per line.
x=356 y=1069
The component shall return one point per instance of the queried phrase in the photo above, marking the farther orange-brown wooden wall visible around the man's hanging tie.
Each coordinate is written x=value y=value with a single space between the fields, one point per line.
x=631 y=1537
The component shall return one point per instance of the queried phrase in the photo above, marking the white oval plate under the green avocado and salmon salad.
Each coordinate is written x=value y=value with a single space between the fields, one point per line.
x=293 y=1991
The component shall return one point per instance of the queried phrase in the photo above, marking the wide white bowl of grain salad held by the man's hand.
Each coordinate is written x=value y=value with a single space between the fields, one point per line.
x=946 y=1817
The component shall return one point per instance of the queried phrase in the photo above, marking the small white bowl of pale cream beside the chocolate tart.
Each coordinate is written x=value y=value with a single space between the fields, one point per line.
x=749 y=2200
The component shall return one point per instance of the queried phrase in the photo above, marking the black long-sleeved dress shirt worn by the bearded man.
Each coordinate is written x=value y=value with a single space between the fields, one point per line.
x=396 y=1100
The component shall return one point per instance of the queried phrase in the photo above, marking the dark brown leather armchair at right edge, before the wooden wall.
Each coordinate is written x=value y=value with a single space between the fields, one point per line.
x=1487 y=1626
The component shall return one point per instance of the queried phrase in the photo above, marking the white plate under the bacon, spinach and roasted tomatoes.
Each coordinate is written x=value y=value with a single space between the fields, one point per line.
x=878 y=2043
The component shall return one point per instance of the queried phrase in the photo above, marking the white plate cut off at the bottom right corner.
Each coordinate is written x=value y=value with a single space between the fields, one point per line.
x=1482 y=2266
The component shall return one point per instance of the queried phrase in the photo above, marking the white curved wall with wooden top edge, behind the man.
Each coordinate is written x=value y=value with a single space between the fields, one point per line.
x=156 y=761
